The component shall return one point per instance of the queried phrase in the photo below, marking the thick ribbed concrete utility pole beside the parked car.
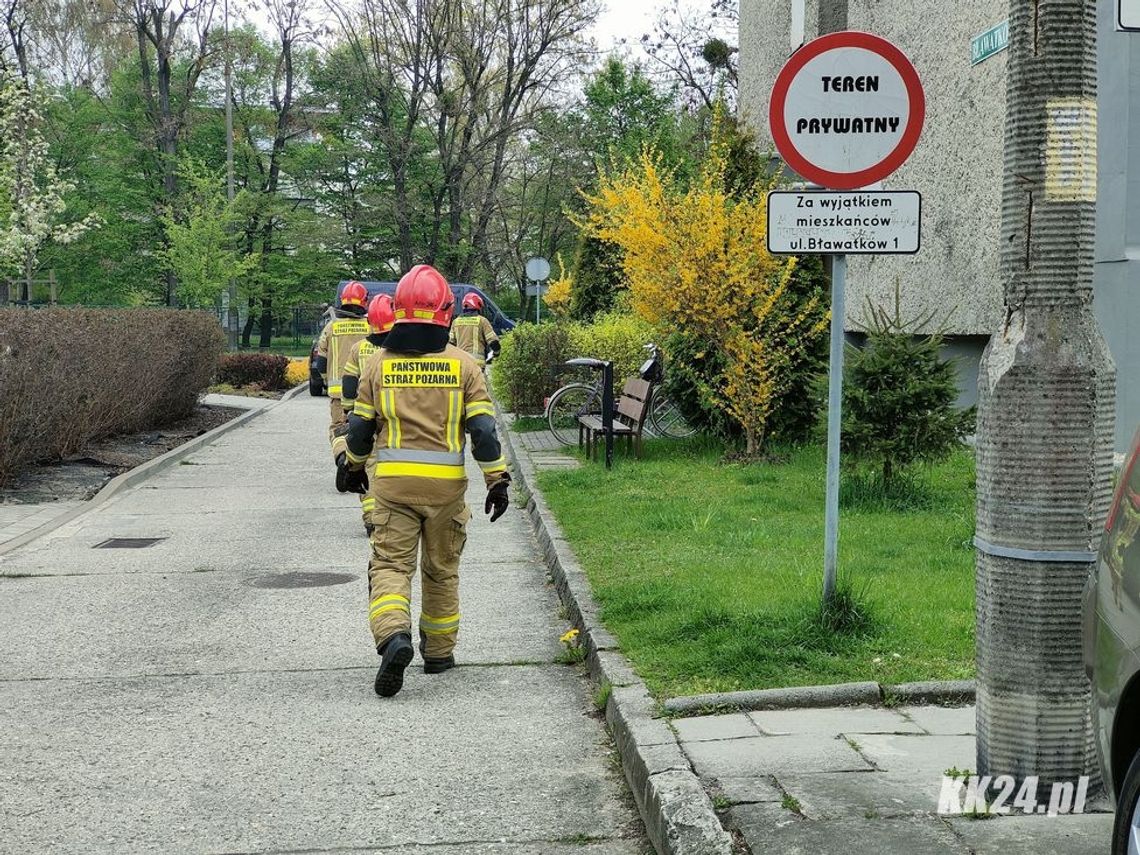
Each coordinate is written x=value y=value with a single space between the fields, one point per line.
x=1046 y=411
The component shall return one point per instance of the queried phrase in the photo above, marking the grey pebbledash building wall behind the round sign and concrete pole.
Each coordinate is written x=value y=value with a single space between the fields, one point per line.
x=958 y=168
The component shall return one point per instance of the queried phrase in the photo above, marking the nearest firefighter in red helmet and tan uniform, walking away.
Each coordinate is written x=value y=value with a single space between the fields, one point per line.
x=418 y=401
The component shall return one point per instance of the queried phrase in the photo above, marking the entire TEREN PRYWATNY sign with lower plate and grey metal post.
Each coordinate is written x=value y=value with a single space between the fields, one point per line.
x=846 y=111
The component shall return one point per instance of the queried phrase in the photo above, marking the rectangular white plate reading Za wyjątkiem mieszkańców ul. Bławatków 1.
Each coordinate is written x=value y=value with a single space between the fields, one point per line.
x=856 y=223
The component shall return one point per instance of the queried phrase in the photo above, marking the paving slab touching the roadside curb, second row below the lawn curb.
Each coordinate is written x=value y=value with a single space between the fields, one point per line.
x=772 y=755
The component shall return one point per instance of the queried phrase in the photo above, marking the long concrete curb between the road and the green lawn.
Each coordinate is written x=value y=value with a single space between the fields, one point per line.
x=678 y=813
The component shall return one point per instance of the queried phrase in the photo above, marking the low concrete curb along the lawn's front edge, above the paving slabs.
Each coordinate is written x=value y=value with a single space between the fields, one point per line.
x=842 y=695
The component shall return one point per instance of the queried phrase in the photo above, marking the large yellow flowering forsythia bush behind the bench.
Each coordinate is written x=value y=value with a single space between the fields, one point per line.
x=696 y=260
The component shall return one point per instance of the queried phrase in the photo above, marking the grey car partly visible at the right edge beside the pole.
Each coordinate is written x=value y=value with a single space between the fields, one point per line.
x=1112 y=654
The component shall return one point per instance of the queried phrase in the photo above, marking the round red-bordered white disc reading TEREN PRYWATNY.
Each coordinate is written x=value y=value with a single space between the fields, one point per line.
x=848 y=110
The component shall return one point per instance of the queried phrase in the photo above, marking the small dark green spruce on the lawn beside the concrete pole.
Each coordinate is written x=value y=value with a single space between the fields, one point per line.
x=899 y=398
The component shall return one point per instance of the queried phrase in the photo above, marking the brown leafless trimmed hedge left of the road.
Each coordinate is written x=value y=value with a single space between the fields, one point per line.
x=72 y=376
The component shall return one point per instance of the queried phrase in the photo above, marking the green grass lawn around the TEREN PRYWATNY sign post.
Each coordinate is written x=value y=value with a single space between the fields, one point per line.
x=710 y=574
